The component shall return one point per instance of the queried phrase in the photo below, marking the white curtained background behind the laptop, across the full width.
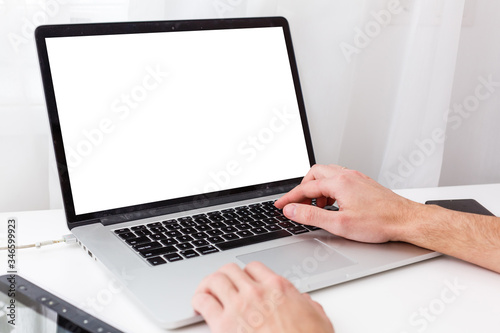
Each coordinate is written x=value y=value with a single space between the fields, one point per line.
x=406 y=91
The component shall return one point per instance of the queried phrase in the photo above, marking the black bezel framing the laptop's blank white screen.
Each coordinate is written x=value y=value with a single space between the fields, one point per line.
x=123 y=214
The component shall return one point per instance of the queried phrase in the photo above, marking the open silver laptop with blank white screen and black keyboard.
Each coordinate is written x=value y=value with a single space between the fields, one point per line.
x=173 y=139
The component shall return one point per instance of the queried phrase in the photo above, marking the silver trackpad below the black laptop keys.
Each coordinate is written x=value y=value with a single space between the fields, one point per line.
x=301 y=260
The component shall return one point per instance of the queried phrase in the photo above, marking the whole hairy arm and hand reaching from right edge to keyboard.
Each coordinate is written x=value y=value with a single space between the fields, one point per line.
x=369 y=212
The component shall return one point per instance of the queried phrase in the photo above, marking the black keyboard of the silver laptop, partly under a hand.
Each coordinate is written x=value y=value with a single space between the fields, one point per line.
x=193 y=236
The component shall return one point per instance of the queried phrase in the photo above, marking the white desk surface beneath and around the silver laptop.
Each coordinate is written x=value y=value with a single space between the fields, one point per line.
x=416 y=298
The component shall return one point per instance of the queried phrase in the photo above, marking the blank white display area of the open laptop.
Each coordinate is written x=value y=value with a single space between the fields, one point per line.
x=151 y=117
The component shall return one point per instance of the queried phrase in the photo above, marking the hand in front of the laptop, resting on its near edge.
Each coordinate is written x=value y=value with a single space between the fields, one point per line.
x=256 y=300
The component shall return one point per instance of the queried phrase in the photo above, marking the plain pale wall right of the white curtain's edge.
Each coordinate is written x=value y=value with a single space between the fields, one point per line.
x=472 y=151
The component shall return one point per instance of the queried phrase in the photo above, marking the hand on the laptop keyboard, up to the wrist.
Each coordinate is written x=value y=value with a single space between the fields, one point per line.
x=368 y=212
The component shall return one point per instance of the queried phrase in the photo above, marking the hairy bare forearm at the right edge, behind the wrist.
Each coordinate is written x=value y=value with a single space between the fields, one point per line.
x=473 y=238
